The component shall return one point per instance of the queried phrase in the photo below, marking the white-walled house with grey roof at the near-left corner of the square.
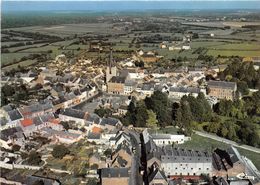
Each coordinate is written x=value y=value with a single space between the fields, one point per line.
x=74 y=115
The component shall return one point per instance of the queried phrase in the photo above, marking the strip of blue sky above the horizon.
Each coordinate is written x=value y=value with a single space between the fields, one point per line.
x=124 y=5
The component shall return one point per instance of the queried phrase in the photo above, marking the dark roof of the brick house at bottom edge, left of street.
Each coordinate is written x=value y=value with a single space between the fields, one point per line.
x=114 y=172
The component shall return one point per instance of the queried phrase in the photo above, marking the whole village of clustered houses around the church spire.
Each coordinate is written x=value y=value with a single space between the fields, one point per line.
x=108 y=151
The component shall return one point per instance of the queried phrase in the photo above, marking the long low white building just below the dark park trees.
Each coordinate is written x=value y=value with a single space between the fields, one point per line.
x=168 y=139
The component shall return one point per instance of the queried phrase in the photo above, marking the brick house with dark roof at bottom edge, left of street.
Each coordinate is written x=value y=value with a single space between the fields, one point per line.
x=110 y=176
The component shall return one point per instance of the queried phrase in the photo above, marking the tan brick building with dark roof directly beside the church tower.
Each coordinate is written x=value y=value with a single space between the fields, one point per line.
x=116 y=85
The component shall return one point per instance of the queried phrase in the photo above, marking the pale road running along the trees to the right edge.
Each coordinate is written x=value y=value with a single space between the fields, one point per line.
x=221 y=139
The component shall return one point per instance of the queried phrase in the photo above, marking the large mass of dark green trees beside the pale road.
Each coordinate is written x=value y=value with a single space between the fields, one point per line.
x=233 y=120
